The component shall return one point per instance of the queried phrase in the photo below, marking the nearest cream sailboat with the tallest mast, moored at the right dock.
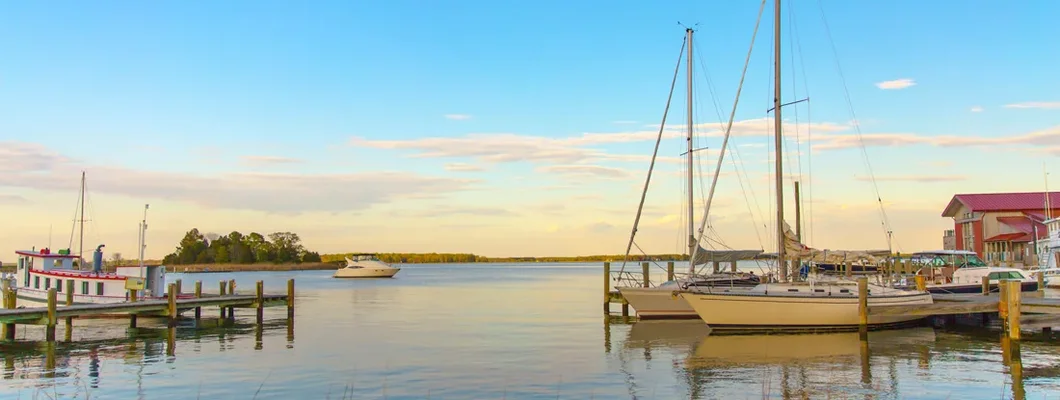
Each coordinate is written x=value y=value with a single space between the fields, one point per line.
x=794 y=305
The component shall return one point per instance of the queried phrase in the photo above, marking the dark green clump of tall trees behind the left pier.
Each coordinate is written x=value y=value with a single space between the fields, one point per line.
x=237 y=249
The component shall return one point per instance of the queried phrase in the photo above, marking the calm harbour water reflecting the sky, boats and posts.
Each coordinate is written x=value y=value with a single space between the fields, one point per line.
x=502 y=332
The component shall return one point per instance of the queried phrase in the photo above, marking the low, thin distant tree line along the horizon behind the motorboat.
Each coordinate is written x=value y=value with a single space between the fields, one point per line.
x=416 y=258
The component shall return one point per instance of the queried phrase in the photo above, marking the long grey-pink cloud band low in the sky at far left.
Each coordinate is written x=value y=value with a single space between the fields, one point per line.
x=45 y=169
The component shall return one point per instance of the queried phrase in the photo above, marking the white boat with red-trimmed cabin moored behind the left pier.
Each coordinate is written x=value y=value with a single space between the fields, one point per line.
x=41 y=270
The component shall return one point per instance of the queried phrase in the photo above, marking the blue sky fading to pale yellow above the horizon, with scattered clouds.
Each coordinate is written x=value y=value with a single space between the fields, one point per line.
x=515 y=129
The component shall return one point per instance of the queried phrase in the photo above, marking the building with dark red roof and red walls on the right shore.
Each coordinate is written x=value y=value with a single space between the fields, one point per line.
x=1002 y=228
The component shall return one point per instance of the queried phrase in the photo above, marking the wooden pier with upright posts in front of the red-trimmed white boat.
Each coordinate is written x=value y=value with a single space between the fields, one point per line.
x=170 y=308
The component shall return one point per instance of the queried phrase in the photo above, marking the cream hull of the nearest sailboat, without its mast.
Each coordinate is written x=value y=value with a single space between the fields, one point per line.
x=780 y=310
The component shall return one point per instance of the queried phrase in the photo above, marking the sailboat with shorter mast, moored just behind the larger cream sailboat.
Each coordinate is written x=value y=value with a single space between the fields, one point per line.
x=659 y=302
